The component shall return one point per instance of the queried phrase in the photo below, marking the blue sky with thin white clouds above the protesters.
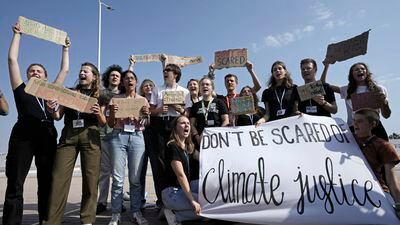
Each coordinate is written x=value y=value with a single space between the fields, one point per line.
x=271 y=30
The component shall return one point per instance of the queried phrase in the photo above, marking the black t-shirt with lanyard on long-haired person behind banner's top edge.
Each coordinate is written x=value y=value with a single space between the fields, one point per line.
x=273 y=96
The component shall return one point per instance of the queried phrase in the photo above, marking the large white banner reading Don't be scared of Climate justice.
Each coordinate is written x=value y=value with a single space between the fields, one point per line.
x=298 y=170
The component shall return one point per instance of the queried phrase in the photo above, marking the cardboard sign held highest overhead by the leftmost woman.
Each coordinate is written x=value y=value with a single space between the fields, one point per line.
x=42 y=31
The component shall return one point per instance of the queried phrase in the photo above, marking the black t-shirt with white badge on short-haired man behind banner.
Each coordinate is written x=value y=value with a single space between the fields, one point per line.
x=329 y=97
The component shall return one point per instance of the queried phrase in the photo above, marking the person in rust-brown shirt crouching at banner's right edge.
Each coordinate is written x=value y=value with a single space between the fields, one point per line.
x=380 y=154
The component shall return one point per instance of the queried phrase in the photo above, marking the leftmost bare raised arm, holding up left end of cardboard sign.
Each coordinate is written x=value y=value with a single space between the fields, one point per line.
x=13 y=66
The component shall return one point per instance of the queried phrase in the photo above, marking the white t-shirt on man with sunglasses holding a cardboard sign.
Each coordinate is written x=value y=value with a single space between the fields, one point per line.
x=157 y=98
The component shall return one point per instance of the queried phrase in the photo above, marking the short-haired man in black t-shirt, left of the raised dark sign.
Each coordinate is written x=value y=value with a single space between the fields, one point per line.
x=321 y=105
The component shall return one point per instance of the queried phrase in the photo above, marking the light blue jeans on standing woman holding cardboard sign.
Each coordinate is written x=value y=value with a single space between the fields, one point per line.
x=126 y=146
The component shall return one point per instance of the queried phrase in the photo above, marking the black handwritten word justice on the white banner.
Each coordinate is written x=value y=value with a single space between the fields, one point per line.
x=324 y=187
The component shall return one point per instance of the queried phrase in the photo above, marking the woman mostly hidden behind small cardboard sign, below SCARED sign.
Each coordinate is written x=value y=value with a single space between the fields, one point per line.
x=250 y=119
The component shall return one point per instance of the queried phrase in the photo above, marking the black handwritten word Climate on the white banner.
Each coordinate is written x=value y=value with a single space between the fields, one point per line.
x=243 y=188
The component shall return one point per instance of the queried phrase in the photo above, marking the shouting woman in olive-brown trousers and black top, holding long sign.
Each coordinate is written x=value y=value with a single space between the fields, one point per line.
x=80 y=135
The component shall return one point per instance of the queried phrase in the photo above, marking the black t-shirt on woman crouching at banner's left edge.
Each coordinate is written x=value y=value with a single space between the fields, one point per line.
x=174 y=152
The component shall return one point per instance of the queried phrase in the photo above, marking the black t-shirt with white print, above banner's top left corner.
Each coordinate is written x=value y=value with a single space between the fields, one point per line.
x=215 y=112
